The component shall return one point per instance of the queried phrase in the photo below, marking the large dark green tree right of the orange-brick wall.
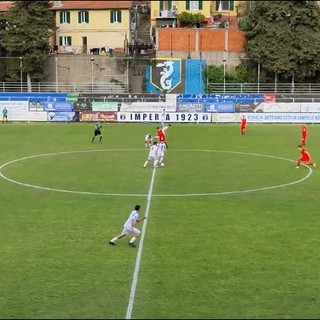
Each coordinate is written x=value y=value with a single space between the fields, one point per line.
x=284 y=36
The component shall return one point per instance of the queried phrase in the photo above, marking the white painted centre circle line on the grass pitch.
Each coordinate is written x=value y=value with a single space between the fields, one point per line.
x=154 y=195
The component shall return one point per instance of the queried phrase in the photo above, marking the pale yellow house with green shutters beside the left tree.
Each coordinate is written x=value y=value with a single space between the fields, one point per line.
x=96 y=27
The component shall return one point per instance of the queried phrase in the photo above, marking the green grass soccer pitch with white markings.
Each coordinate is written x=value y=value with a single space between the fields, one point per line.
x=232 y=228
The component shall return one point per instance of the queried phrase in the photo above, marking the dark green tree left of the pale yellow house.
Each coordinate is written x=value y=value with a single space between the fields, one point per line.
x=29 y=26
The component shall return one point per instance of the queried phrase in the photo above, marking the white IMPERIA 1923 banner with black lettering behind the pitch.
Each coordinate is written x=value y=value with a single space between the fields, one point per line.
x=182 y=117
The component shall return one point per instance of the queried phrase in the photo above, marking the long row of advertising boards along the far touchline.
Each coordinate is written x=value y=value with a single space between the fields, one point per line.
x=149 y=108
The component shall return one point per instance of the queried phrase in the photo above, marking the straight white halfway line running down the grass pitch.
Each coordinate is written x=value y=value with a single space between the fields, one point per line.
x=140 y=248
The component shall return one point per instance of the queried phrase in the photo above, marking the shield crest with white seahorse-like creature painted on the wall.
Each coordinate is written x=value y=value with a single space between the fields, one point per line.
x=166 y=73
